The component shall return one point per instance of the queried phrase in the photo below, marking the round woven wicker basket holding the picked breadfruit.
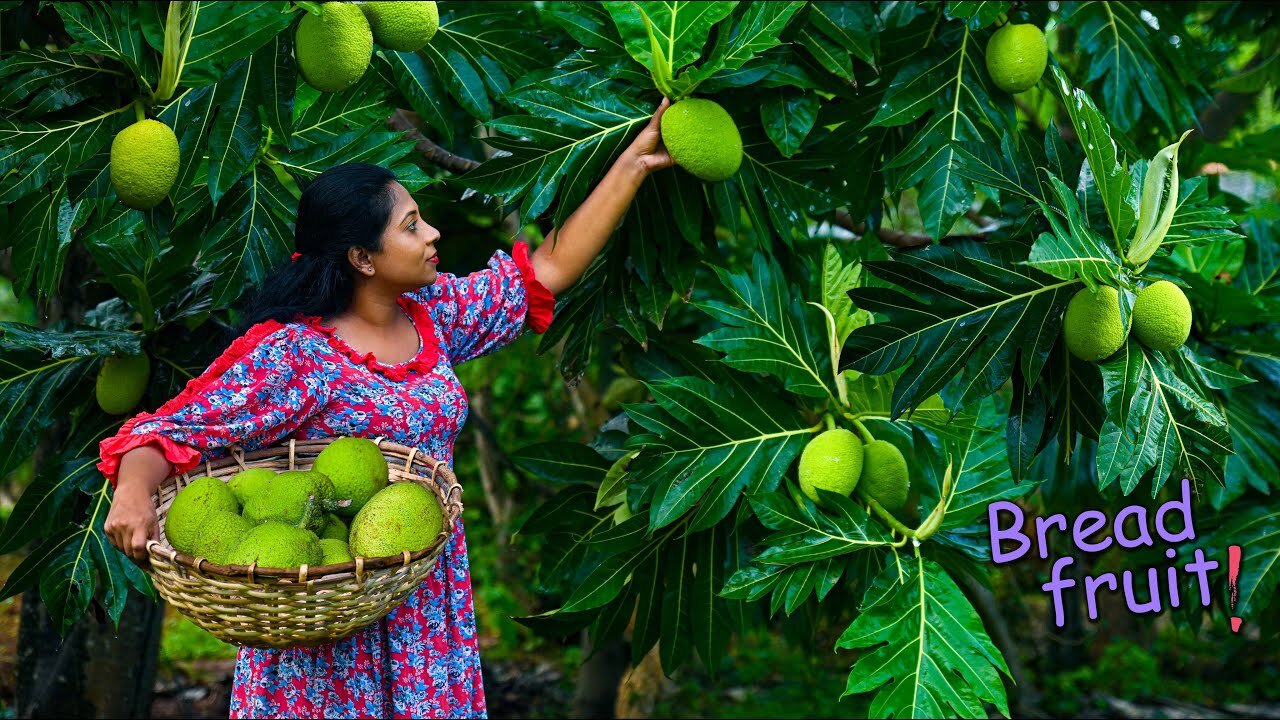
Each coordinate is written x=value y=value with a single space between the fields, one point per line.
x=305 y=607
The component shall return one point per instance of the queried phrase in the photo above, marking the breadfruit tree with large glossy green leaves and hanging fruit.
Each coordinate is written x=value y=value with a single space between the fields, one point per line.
x=971 y=241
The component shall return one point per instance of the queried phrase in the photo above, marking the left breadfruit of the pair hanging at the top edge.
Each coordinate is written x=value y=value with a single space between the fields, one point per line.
x=335 y=51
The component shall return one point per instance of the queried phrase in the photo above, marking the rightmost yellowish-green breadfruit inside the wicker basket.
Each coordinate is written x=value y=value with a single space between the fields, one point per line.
x=401 y=517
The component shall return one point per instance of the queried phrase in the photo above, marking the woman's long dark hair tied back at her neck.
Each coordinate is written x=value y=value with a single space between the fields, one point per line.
x=345 y=207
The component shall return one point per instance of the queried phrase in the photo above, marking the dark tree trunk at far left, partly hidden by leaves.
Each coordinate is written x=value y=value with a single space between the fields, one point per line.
x=98 y=671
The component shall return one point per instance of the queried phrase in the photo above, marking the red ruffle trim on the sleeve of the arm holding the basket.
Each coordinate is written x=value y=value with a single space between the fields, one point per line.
x=182 y=458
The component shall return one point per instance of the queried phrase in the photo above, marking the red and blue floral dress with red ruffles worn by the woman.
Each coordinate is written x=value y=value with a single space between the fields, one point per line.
x=300 y=380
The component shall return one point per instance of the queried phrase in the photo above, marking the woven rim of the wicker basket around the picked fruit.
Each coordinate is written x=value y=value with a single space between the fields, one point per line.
x=451 y=508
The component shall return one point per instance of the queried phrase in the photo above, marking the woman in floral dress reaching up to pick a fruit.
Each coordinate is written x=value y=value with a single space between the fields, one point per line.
x=359 y=338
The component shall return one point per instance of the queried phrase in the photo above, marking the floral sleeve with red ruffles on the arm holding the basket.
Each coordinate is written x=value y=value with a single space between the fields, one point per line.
x=262 y=389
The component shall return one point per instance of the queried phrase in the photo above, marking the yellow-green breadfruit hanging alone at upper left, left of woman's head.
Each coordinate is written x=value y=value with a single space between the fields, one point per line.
x=144 y=163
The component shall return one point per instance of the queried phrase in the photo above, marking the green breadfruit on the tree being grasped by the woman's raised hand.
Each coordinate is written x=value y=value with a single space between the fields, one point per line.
x=702 y=138
